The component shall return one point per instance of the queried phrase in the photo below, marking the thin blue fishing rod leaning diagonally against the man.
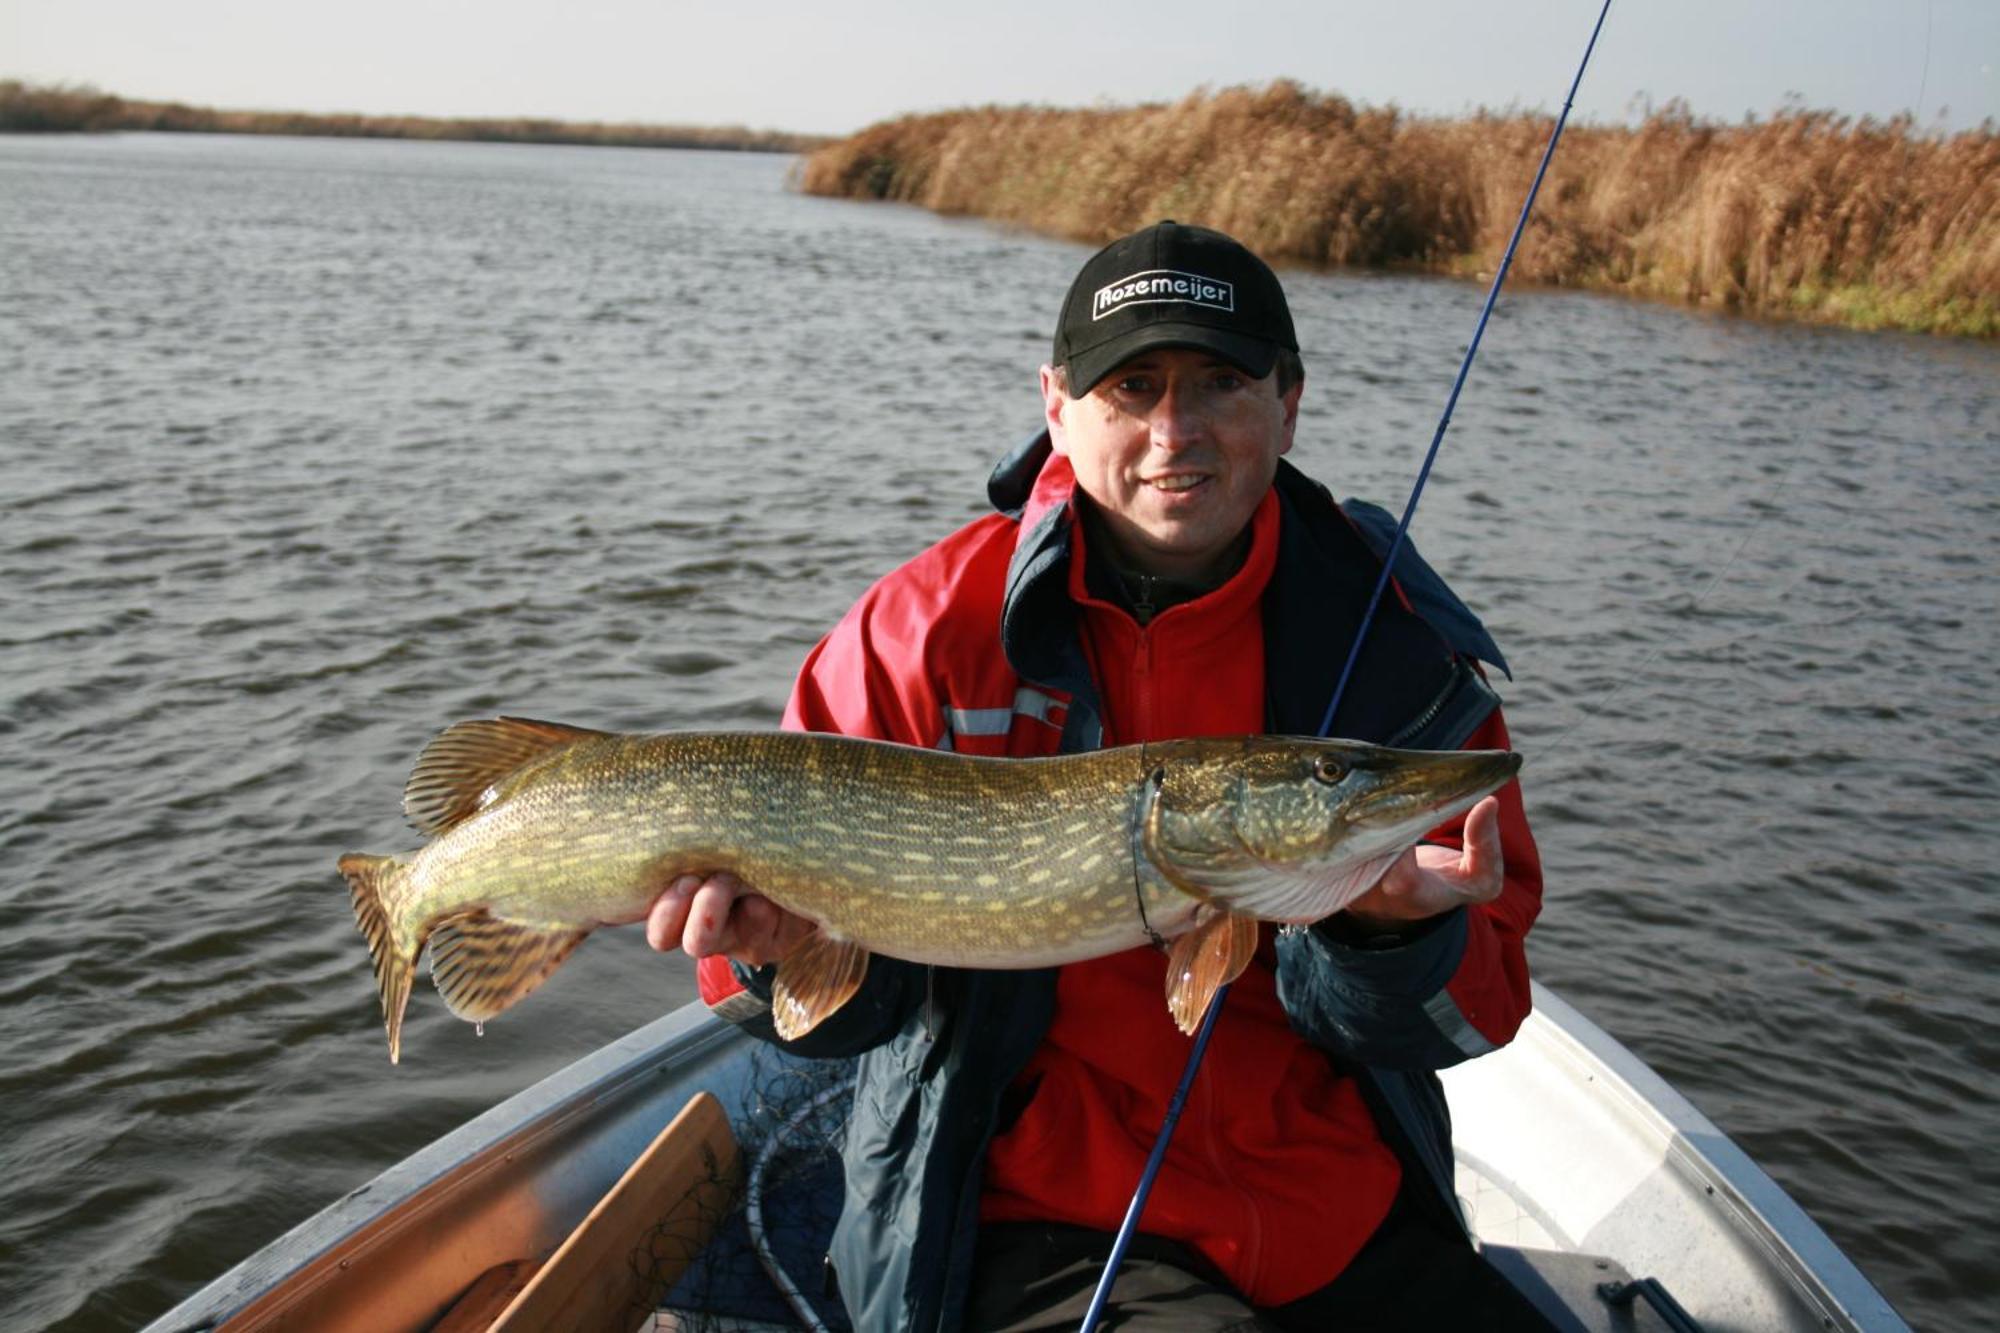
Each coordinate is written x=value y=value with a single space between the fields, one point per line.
x=1389 y=563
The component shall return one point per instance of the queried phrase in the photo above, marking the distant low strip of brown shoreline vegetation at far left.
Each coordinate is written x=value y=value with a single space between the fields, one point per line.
x=29 y=109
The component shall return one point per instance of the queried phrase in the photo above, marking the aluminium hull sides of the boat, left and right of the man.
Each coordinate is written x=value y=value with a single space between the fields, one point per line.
x=1571 y=1152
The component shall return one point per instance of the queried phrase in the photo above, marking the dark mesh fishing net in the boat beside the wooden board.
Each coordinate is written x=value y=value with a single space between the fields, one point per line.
x=765 y=1266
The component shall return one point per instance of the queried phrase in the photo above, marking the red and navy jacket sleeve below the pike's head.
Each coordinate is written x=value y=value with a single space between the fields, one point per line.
x=1451 y=990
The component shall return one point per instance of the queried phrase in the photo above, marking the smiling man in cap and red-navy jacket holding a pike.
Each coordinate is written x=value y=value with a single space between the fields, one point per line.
x=1157 y=571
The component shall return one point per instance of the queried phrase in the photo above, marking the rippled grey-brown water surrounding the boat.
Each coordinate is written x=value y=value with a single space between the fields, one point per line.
x=313 y=447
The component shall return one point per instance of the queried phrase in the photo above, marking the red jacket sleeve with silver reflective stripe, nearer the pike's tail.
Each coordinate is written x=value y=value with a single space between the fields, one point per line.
x=865 y=680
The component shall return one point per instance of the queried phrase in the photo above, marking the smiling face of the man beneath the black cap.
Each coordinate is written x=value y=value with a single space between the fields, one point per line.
x=1177 y=449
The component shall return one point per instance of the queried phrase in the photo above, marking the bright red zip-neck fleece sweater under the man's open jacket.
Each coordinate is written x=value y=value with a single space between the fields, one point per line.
x=1277 y=1172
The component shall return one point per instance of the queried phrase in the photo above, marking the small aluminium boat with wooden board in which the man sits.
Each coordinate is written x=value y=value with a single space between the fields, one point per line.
x=1583 y=1174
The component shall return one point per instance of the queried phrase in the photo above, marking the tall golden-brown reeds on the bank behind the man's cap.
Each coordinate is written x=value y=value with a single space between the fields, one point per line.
x=1803 y=215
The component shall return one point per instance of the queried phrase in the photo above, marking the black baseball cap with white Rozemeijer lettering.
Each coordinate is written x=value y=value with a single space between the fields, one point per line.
x=1173 y=285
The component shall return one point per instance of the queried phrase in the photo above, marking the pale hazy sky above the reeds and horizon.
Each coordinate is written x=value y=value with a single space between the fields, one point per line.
x=835 y=67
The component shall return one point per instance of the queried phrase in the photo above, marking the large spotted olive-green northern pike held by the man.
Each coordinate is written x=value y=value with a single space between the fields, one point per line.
x=543 y=832
